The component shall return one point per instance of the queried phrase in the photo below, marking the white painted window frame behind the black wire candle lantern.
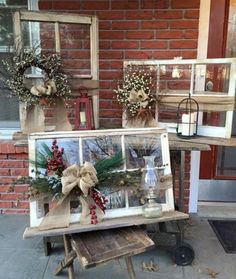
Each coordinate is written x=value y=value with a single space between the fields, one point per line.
x=203 y=130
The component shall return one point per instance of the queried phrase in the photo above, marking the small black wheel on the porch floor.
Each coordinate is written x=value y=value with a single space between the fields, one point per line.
x=183 y=254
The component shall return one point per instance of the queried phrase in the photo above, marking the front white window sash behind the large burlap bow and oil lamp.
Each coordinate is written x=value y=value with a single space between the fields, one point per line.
x=37 y=206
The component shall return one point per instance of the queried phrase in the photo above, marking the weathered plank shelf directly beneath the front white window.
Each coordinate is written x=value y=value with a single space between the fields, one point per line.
x=106 y=224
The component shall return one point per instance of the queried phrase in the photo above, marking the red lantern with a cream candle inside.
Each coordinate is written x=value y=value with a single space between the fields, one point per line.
x=84 y=118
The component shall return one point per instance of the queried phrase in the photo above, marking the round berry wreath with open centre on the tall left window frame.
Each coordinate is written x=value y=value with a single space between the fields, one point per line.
x=51 y=66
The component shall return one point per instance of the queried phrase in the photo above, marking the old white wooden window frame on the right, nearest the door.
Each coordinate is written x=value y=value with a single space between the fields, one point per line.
x=203 y=130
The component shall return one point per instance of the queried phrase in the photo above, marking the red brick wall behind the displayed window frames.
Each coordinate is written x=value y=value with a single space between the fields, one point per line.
x=141 y=29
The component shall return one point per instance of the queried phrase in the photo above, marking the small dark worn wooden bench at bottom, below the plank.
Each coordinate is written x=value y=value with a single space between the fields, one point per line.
x=98 y=247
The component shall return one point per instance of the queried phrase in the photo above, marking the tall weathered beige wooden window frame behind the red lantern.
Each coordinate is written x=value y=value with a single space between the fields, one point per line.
x=90 y=81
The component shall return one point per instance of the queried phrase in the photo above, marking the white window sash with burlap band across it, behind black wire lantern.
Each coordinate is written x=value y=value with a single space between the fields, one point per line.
x=210 y=101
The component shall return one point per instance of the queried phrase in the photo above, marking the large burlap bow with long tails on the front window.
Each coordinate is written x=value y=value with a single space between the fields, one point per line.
x=84 y=177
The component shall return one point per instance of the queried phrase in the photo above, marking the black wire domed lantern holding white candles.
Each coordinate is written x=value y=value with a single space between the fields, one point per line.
x=187 y=118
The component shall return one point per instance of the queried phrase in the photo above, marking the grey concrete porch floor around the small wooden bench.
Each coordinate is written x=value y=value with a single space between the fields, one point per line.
x=25 y=259
